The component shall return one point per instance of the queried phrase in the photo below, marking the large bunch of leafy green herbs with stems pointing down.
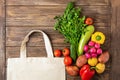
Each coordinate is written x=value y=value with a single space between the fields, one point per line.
x=71 y=25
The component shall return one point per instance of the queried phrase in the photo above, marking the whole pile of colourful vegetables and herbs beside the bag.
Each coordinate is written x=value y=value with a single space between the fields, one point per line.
x=85 y=56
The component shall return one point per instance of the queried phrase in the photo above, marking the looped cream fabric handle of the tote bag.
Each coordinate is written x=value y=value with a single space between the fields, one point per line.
x=46 y=41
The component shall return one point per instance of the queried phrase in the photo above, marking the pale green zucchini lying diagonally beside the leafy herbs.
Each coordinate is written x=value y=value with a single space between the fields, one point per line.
x=85 y=38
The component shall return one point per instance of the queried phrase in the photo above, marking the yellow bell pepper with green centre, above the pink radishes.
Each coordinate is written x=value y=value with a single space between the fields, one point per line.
x=98 y=37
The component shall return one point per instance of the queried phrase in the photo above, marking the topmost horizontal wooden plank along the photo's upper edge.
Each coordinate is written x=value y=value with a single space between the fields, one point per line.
x=56 y=2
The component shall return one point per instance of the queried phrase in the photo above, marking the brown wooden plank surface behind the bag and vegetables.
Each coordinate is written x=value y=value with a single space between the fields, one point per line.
x=18 y=17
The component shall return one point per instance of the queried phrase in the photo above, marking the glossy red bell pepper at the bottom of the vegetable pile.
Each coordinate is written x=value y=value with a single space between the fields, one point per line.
x=86 y=73
